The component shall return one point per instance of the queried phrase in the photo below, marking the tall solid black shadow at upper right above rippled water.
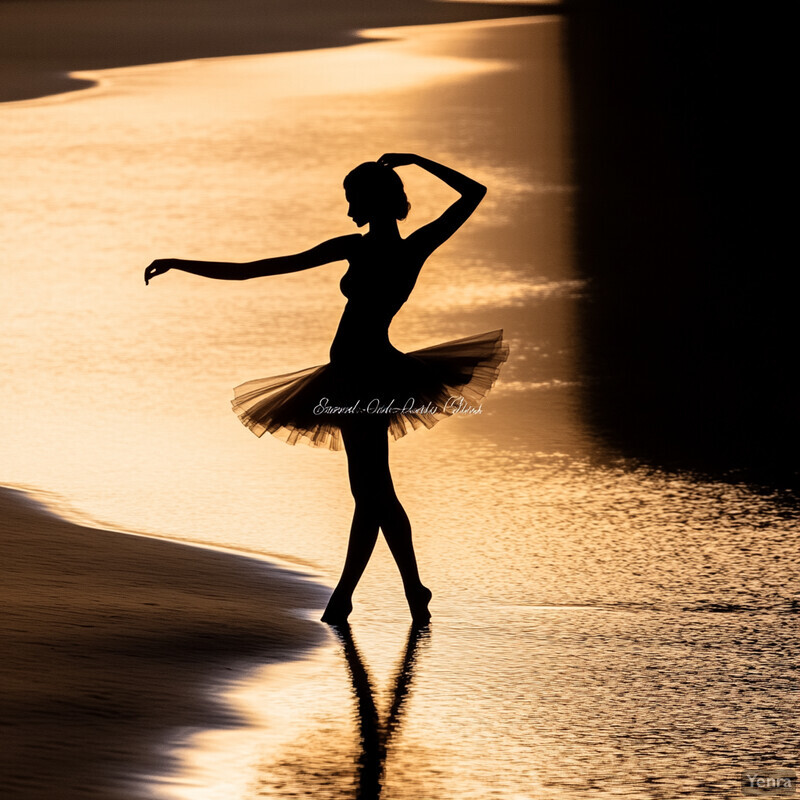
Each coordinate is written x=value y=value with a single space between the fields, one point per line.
x=687 y=335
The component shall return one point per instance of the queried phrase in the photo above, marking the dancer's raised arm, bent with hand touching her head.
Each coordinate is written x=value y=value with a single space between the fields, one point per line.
x=430 y=236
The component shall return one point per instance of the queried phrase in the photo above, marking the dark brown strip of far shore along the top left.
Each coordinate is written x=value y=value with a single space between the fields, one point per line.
x=43 y=43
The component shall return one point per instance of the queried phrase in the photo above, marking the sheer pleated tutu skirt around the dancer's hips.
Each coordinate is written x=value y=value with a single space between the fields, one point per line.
x=403 y=391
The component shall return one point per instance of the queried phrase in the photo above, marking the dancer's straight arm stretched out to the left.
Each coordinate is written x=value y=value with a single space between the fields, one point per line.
x=337 y=249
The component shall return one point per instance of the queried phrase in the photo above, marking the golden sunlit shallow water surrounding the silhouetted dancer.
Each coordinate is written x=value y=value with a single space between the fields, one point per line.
x=600 y=628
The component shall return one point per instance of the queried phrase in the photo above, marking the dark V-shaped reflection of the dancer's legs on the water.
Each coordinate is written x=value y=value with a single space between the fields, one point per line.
x=375 y=737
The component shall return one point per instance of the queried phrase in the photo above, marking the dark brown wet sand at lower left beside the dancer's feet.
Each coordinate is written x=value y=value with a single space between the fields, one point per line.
x=113 y=642
